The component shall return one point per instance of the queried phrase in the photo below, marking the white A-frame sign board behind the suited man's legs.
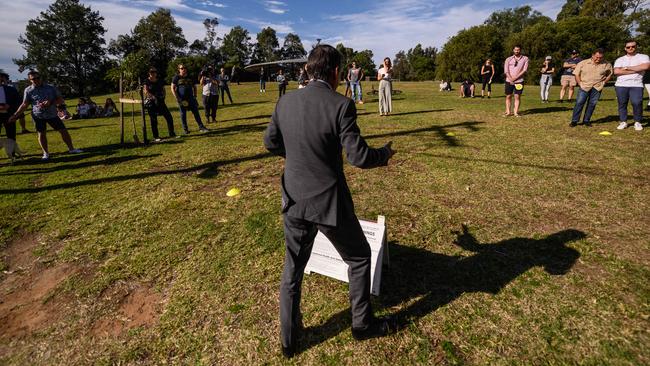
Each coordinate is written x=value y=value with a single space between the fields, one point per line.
x=327 y=261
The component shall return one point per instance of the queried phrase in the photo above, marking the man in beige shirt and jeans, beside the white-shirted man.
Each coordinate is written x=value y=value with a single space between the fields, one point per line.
x=591 y=75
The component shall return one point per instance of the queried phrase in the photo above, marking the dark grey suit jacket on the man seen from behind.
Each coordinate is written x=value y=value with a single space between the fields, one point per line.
x=309 y=128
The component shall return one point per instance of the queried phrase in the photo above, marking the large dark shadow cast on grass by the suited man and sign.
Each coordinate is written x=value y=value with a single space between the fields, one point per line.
x=436 y=279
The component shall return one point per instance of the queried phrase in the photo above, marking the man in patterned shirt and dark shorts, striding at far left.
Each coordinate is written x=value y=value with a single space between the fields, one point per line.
x=44 y=98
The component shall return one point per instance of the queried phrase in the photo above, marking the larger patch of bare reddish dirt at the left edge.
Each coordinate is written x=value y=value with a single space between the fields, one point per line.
x=27 y=301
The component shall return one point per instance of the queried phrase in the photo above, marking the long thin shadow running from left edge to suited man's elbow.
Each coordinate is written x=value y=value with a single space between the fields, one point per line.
x=202 y=170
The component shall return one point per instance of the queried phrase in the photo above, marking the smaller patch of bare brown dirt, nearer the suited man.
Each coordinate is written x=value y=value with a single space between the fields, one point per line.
x=138 y=306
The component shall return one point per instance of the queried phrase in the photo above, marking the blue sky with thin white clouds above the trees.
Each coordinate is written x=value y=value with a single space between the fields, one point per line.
x=383 y=27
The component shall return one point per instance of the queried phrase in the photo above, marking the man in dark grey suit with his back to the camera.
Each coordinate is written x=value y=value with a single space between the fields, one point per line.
x=309 y=128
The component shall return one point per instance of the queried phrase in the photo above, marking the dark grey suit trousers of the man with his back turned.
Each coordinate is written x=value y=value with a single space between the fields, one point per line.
x=349 y=241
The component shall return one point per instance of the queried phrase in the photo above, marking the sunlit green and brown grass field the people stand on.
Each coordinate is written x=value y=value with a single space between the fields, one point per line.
x=512 y=241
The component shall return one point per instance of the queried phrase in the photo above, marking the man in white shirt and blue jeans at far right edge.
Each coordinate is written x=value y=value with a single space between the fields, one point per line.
x=629 y=70
